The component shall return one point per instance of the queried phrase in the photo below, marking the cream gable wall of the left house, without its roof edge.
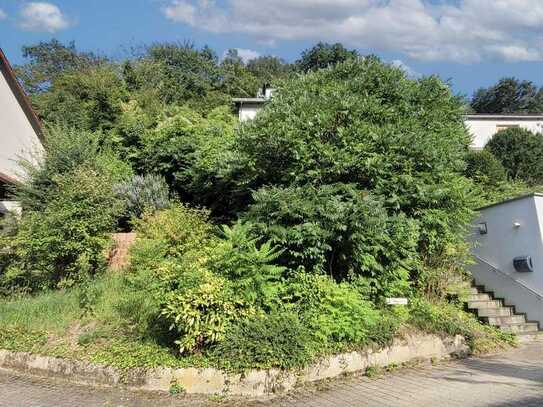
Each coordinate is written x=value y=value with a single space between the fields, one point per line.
x=17 y=137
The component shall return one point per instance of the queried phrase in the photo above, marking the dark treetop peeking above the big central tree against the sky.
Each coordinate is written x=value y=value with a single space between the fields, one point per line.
x=323 y=55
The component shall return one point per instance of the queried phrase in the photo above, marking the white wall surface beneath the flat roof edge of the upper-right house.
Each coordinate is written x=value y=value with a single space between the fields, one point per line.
x=482 y=130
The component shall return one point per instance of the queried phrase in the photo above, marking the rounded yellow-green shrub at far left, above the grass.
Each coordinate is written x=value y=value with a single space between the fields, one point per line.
x=67 y=239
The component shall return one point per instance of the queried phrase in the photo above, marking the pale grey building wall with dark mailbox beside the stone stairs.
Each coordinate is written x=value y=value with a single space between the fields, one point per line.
x=508 y=248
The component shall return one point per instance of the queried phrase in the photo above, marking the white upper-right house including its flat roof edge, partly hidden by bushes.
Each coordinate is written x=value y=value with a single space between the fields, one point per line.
x=483 y=126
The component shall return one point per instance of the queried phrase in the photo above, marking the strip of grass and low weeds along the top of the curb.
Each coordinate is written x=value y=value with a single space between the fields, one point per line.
x=60 y=323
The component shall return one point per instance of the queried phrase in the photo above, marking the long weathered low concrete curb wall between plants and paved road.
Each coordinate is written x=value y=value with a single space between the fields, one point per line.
x=252 y=383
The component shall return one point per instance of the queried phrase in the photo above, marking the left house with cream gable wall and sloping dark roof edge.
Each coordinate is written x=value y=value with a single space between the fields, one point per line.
x=21 y=134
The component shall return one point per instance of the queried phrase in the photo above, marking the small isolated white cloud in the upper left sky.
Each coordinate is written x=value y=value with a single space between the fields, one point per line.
x=41 y=16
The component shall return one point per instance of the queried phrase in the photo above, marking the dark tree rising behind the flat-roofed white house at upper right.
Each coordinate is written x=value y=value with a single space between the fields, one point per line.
x=509 y=95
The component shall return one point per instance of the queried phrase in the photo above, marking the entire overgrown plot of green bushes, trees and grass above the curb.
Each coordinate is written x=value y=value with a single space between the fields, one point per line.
x=260 y=244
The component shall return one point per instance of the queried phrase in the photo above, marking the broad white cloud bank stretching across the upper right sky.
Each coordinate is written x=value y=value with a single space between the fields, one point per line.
x=453 y=30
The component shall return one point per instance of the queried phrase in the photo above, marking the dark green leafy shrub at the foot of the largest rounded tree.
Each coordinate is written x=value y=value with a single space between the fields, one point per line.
x=338 y=230
